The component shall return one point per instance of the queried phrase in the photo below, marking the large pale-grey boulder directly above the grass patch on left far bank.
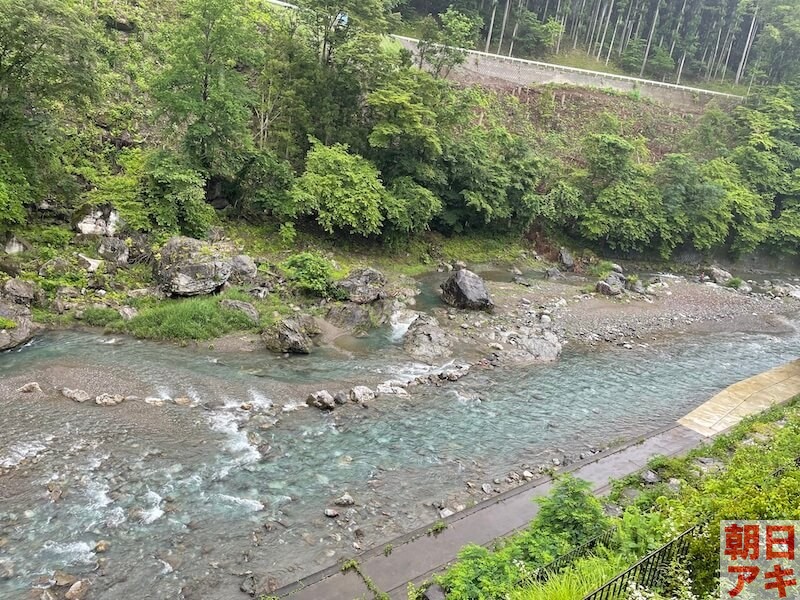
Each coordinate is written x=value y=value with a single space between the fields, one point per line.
x=189 y=267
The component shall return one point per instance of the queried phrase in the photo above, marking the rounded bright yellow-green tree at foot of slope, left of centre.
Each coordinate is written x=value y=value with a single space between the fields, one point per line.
x=342 y=190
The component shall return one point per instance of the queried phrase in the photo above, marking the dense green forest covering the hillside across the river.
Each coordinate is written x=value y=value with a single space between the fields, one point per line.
x=182 y=114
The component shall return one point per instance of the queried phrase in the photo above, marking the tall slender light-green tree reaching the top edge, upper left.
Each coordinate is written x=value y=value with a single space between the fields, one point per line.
x=202 y=89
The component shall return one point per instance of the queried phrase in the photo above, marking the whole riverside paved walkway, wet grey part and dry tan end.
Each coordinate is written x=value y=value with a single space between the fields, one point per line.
x=417 y=556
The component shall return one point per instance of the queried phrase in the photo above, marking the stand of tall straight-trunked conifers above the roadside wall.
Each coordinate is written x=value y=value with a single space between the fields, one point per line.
x=704 y=40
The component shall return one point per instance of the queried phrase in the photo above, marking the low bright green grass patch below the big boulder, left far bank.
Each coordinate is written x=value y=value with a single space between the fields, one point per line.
x=190 y=319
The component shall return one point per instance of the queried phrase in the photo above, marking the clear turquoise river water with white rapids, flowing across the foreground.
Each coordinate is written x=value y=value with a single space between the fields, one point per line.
x=191 y=498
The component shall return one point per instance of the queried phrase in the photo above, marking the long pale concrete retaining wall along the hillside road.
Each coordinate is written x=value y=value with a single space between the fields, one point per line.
x=483 y=67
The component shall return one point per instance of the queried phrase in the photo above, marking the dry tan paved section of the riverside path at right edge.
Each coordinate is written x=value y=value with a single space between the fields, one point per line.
x=744 y=399
